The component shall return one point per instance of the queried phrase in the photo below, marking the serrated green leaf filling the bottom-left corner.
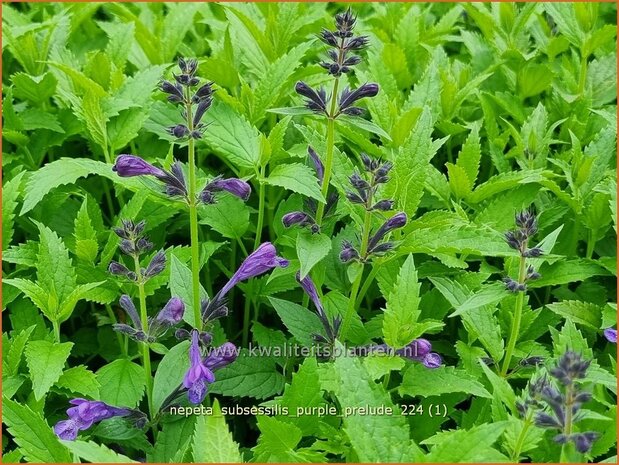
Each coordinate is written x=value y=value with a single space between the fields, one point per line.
x=32 y=434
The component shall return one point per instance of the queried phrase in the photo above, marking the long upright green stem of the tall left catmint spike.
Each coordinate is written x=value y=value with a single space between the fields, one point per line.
x=193 y=221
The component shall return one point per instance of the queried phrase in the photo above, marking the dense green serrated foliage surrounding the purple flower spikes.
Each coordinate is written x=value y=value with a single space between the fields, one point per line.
x=486 y=109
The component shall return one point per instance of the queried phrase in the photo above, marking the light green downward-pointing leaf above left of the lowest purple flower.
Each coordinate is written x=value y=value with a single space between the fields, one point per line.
x=46 y=362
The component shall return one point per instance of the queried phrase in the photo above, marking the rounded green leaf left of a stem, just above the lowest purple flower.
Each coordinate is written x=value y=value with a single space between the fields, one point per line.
x=122 y=383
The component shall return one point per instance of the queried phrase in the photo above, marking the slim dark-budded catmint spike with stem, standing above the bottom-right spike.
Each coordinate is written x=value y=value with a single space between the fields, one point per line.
x=518 y=239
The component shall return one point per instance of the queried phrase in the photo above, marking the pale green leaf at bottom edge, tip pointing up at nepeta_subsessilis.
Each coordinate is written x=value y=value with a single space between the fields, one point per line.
x=212 y=441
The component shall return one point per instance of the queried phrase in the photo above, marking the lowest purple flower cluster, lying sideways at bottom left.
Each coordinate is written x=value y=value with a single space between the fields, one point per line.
x=84 y=415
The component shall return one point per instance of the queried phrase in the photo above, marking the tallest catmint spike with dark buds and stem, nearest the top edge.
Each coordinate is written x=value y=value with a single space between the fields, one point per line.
x=342 y=56
